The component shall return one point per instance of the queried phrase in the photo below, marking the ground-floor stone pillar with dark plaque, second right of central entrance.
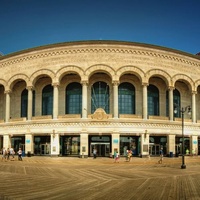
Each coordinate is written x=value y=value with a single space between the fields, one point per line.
x=144 y=139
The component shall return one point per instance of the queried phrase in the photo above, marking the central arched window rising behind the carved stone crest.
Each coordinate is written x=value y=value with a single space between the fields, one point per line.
x=100 y=96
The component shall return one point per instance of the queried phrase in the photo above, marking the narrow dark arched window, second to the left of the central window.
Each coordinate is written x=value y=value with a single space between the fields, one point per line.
x=47 y=100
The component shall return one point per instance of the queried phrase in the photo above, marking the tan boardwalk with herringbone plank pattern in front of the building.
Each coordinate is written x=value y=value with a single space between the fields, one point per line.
x=101 y=178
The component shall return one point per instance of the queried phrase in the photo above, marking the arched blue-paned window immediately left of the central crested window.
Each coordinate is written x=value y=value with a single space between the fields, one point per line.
x=73 y=98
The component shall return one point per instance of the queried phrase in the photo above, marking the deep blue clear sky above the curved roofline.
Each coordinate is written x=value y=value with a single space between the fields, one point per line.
x=30 y=23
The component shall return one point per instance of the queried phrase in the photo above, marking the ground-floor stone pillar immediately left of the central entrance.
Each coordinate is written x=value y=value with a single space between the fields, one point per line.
x=84 y=145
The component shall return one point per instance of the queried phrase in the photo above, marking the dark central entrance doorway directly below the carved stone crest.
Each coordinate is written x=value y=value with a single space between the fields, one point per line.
x=103 y=149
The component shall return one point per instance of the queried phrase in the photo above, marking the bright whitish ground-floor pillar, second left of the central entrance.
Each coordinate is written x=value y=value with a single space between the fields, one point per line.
x=55 y=146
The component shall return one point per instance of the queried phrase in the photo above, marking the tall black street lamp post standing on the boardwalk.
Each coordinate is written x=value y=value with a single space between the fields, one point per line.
x=183 y=110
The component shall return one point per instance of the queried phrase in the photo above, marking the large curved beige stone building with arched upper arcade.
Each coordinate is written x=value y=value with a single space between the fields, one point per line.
x=67 y=98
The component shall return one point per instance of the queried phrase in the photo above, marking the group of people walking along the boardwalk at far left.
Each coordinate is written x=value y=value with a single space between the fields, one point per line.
x=9 y=154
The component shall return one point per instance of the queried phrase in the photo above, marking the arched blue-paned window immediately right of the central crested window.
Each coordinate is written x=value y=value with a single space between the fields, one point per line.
x=126 y=98
